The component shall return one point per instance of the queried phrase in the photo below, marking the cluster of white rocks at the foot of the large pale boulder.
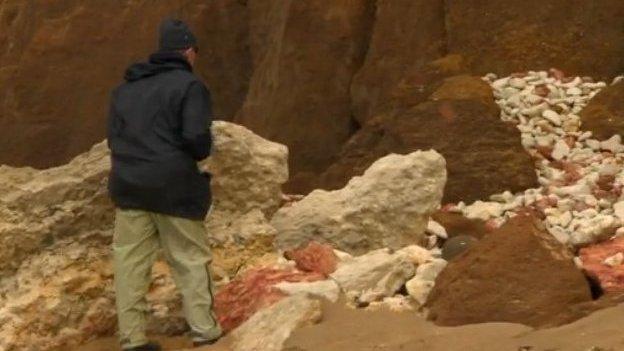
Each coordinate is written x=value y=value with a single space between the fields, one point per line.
x=379 y=278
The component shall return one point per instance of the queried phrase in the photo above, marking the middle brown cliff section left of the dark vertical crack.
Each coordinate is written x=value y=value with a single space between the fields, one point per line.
x=299 y=91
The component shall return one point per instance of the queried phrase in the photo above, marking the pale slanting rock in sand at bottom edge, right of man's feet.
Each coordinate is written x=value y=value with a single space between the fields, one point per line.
x=268 y=329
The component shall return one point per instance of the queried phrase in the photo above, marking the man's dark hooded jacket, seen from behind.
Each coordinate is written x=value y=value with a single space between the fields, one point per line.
x=158 y=128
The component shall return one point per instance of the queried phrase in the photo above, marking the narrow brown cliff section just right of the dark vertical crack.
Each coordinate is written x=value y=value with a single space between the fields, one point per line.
x=407 y=34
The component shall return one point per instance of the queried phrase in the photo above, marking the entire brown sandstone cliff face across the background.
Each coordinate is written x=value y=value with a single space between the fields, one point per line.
x=306 y=74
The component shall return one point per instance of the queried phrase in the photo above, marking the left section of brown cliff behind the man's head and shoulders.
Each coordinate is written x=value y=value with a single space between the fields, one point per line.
x=60 y=59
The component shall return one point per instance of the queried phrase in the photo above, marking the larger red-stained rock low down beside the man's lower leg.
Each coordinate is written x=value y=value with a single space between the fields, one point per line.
x=240 y=299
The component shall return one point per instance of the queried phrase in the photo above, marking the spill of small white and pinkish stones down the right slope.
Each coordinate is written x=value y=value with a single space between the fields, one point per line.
x=570 y=164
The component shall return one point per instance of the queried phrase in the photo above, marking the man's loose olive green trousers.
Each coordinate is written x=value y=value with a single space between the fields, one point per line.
x=137 y=239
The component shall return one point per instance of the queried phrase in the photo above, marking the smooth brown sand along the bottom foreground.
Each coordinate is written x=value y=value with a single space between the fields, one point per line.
x=344 y=329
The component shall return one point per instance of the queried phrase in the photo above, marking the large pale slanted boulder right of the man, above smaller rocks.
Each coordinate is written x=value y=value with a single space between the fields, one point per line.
x=388 y=206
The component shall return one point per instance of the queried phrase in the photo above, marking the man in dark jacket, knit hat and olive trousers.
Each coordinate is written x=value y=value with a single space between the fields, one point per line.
x=159 y=127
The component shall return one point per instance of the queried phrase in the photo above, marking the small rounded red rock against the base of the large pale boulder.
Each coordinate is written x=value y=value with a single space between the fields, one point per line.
x=318 y=258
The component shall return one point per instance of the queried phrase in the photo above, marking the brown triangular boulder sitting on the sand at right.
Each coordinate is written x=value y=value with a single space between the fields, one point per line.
x=518 y=273
